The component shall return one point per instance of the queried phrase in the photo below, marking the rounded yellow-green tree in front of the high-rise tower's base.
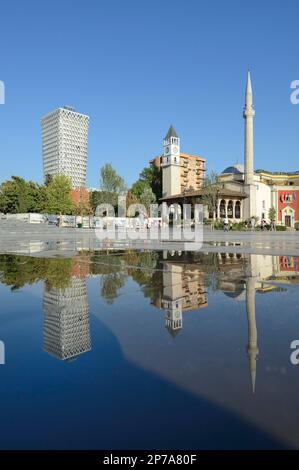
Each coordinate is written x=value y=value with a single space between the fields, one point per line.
x=58 y=196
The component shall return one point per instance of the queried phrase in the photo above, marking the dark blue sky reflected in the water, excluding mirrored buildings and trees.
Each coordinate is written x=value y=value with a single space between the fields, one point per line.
x=139 y=387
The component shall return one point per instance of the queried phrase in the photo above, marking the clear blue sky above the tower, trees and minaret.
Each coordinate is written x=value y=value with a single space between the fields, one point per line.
x=135 y=66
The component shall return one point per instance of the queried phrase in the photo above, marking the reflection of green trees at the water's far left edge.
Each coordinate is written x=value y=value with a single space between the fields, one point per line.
x=17 y=271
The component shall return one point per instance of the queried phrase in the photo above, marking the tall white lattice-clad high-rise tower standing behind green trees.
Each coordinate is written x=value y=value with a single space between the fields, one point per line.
x=64 y=141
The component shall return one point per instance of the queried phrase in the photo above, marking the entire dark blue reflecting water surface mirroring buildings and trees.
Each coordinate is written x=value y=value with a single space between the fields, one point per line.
x=153 y=350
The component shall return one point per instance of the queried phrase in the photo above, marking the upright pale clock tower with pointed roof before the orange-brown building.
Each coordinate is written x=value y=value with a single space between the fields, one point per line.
x=171 y=172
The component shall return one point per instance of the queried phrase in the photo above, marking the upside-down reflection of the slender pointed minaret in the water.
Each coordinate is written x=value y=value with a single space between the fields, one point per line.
x=252 y=349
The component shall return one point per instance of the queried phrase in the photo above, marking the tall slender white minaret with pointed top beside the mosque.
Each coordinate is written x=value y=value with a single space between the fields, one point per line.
x=248 y=114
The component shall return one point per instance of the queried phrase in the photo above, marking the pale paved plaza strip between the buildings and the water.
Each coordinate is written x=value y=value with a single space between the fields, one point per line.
x=48 y=240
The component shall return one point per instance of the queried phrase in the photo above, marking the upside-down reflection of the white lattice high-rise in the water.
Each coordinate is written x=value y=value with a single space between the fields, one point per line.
x=66 y=320
